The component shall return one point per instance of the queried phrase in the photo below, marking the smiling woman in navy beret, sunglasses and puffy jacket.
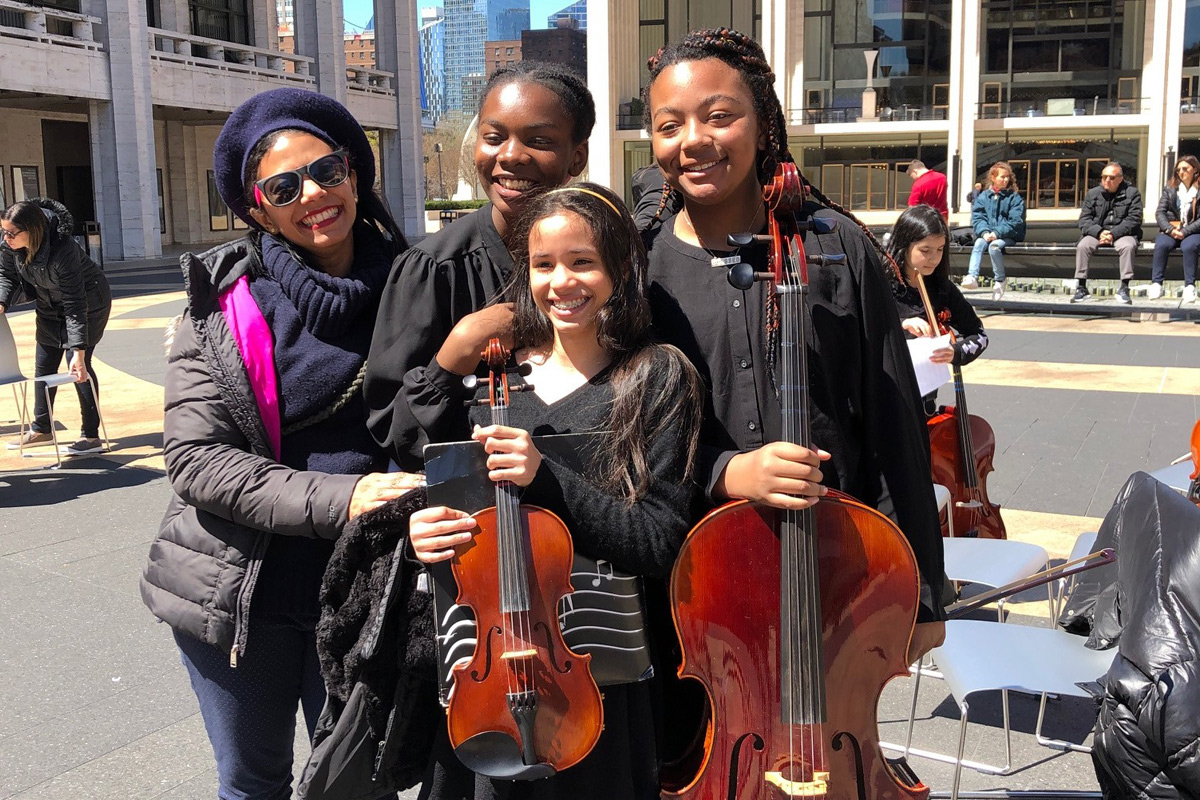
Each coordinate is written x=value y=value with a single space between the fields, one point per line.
x=265 y=438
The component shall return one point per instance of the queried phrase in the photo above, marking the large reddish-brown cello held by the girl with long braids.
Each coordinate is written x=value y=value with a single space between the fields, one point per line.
x=795 y=646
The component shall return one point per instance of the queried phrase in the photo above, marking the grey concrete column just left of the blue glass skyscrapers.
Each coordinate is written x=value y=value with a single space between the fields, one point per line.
x=403 y=170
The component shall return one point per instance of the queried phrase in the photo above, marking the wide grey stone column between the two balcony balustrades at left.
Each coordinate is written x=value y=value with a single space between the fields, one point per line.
x=123 y=152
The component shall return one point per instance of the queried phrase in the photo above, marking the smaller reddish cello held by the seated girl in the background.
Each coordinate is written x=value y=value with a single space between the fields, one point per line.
x=962 y=449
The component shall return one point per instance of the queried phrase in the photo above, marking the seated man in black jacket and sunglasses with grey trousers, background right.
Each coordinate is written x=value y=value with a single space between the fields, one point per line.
x=1111 y=218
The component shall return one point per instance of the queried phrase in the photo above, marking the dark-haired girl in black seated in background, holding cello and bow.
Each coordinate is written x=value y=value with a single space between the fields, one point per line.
x=919 y=246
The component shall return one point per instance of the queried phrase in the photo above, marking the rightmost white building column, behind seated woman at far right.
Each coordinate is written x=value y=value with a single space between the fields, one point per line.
x=1161 y=79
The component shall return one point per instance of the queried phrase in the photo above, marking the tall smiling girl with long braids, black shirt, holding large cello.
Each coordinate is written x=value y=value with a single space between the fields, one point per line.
x=718 y=133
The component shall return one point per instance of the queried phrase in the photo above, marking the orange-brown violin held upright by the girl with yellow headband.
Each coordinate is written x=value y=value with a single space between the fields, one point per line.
x=526 y=706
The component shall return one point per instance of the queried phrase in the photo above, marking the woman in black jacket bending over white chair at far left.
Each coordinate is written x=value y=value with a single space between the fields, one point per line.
x=73 y=306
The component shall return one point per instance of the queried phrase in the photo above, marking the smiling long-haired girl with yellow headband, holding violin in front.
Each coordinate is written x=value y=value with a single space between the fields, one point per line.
x=581 y=326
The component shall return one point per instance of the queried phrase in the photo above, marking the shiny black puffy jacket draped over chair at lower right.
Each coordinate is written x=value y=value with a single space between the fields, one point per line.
x=1148 y=735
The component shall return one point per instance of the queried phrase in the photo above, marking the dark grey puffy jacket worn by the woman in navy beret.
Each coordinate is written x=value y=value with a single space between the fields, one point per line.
x=229 y=494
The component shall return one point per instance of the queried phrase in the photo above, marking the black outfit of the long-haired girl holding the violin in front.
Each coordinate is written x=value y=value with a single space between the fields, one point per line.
x=643 y=539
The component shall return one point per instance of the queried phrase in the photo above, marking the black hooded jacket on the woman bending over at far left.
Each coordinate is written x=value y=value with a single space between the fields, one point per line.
x=71 y=293
